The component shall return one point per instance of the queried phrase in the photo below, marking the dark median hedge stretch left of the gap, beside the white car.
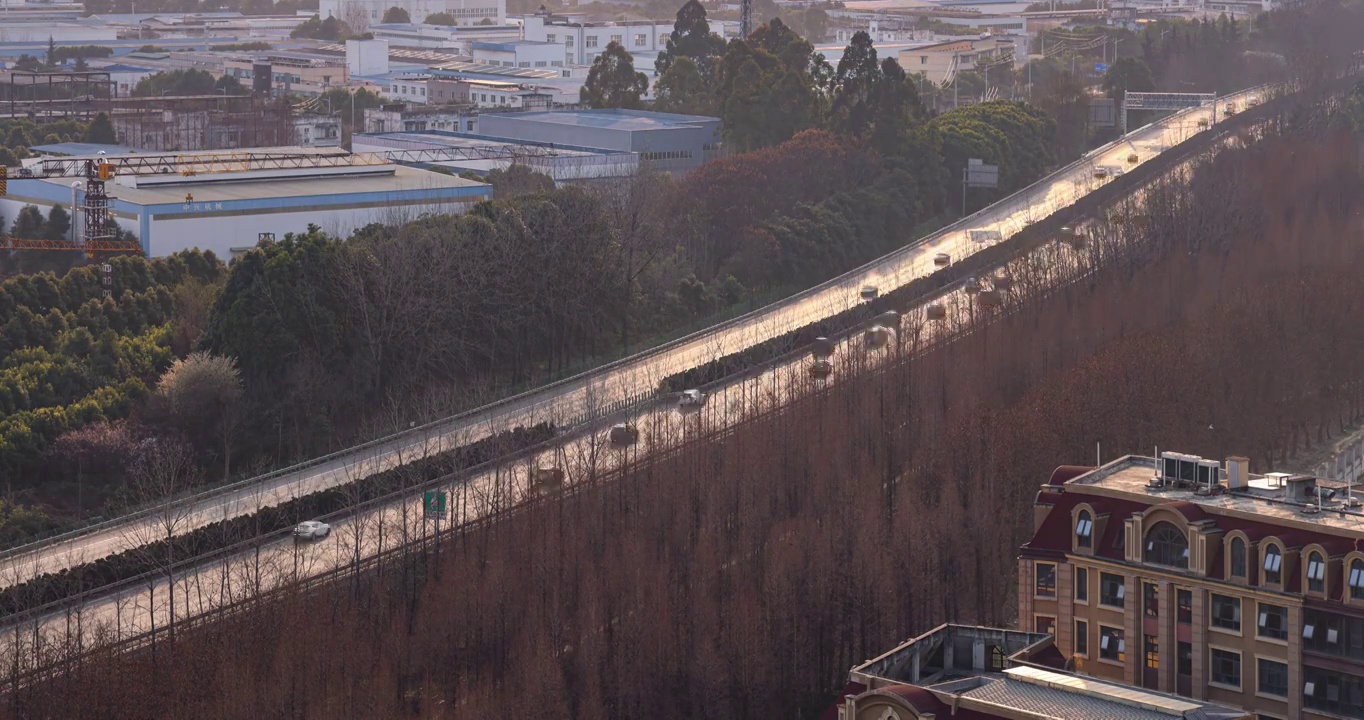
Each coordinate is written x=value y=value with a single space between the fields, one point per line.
x=212 y=539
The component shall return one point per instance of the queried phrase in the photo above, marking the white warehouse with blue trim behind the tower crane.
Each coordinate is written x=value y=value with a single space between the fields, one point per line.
x=230 y=212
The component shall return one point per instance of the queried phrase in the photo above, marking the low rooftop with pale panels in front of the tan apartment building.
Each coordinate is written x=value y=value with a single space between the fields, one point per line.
x=987 y=673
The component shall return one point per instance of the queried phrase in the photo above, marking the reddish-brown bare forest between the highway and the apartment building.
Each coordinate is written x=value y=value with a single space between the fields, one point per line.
x=691 y=586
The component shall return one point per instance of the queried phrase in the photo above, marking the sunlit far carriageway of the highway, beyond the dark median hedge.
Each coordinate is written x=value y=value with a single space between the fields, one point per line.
x=572 y=400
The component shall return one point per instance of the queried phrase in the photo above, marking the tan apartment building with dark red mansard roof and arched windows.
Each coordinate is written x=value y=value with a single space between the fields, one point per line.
x=1189 y=576
